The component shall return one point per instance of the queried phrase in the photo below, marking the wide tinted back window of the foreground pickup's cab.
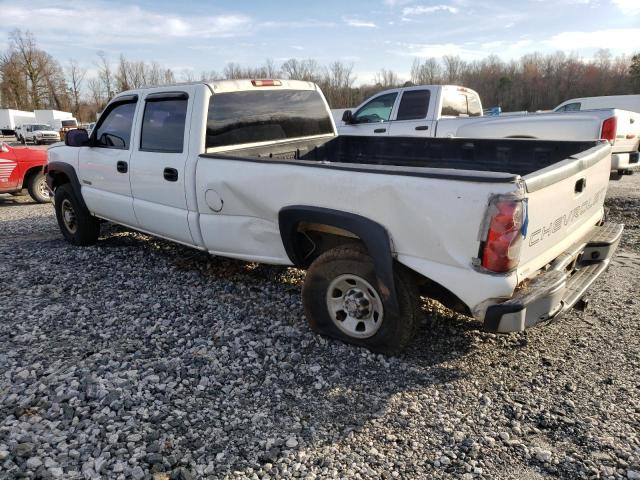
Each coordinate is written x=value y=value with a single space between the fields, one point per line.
x=265 y=115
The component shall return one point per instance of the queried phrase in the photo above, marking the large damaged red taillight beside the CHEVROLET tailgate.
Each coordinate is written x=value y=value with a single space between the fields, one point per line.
x=502 y=247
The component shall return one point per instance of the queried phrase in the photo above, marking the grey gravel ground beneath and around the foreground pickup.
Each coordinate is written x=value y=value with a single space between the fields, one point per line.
x=138 y=358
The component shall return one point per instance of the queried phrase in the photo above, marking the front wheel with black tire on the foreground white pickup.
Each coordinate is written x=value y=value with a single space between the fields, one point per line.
x=85 y=228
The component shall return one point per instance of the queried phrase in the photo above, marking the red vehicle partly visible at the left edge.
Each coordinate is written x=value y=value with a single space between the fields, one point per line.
x=23 y=168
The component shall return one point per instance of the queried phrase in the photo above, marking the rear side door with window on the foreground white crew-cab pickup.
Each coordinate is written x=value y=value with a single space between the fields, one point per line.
x=158 y=164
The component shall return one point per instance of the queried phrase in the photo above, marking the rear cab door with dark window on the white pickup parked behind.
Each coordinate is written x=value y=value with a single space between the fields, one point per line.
x=413 y=117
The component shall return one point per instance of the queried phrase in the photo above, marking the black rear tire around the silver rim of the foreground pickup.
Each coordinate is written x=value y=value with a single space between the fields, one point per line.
x=394 y=333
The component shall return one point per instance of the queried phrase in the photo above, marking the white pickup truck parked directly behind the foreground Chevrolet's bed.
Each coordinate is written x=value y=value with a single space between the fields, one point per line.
x=453 y=111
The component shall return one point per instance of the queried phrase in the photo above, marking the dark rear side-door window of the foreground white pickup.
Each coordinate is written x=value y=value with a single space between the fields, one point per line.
x=163 y=125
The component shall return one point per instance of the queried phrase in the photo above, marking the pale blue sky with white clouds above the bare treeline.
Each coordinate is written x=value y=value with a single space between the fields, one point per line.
x=373 y=34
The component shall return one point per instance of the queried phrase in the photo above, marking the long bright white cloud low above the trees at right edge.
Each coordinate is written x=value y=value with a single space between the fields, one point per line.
x=615 y=39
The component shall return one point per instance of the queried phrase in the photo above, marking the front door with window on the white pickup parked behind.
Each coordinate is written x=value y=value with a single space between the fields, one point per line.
x=372 y=119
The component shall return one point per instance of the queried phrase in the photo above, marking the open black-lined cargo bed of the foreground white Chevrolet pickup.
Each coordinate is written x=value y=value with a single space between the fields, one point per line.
x=512 y=156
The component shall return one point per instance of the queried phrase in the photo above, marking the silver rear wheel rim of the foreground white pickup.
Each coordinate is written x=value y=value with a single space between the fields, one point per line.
x=355 y=306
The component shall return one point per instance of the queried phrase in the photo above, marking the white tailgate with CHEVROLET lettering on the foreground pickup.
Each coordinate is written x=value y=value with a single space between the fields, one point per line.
x=564 y=202
